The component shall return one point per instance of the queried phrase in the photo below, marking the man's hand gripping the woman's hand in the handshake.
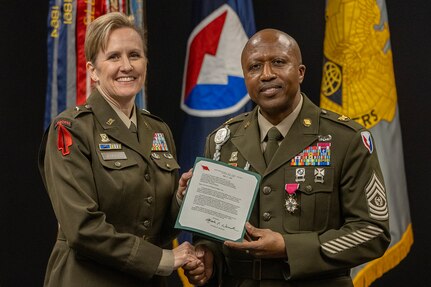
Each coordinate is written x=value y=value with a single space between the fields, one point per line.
x=200 y=271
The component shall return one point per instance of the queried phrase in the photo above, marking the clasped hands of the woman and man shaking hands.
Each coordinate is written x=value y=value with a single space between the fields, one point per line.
x=197 y=262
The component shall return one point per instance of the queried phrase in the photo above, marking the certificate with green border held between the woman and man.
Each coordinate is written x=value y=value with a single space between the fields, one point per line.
x=218 y=201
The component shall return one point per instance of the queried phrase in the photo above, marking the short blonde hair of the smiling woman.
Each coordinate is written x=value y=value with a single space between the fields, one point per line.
x=96 y=37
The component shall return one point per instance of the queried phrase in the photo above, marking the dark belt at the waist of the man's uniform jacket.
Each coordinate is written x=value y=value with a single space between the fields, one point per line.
x=257 y=269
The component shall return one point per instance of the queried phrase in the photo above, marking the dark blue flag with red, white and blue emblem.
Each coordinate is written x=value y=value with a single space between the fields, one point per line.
x=213 y=85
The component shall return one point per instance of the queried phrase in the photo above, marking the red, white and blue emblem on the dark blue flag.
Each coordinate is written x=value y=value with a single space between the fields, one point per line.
x=213 y=86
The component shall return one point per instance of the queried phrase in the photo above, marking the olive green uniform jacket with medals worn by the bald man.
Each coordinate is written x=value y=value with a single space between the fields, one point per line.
x=342 y=220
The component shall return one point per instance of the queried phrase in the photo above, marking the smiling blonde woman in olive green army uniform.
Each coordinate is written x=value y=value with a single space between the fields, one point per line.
x=111 y=173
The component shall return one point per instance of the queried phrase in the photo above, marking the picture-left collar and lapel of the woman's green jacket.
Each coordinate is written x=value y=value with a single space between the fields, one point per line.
x=113 y=126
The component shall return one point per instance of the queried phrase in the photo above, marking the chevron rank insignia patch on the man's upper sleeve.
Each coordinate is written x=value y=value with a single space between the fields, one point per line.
x=376 y=199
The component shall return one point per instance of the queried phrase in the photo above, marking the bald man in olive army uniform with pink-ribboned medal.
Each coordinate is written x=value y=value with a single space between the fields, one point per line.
x=321 y=207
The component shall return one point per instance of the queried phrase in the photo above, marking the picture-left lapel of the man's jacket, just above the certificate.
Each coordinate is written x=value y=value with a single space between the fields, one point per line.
x=247 y=141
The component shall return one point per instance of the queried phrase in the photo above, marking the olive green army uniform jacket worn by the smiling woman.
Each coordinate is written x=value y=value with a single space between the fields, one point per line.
x=114 y=197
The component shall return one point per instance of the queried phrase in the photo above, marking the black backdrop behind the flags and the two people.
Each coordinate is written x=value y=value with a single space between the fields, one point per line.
x=28 y=226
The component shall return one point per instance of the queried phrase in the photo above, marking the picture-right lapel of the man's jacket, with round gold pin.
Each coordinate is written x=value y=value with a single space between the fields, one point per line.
x=303 y=133
